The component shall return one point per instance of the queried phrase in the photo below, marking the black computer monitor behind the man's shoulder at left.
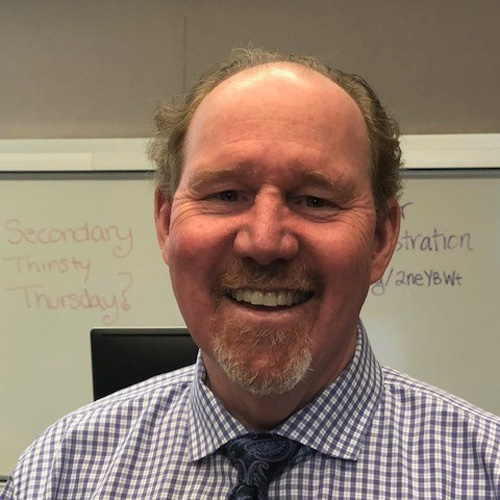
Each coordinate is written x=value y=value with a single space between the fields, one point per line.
x=123 y=356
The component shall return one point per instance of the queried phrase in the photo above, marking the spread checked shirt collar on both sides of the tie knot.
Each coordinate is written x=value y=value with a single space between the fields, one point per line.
x=334 y=423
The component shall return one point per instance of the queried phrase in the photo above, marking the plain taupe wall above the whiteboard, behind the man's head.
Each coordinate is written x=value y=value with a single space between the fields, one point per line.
x=97 y=69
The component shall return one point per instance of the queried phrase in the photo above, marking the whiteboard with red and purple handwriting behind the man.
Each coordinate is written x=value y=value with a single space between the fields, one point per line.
x=79 y=250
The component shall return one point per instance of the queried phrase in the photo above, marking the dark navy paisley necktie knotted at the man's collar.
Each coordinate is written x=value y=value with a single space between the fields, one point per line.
x=259 y=458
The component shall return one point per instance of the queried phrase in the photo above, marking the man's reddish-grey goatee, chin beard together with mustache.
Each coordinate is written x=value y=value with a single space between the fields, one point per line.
x=264 y=359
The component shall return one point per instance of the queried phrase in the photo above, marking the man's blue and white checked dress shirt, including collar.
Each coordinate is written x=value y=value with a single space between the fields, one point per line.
x=375 y=434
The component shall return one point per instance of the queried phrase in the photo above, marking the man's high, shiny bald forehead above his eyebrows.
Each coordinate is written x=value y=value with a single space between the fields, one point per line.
x=273 y=106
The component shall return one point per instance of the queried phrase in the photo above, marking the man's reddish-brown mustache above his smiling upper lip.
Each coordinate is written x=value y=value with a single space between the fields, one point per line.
x=279 y=275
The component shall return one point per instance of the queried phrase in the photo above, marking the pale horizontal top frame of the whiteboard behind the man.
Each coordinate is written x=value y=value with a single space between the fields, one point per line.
x=434 y=151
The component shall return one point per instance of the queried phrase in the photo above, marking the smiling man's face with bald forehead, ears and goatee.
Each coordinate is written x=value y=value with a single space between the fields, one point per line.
x=271 y=238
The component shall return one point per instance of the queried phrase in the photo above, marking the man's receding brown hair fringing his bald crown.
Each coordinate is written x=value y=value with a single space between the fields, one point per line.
x=173 y=118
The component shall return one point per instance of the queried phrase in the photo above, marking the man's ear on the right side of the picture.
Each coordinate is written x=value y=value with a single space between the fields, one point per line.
x=386 y=238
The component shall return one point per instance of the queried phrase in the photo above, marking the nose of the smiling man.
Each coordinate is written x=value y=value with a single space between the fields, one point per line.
x=265 y=234
